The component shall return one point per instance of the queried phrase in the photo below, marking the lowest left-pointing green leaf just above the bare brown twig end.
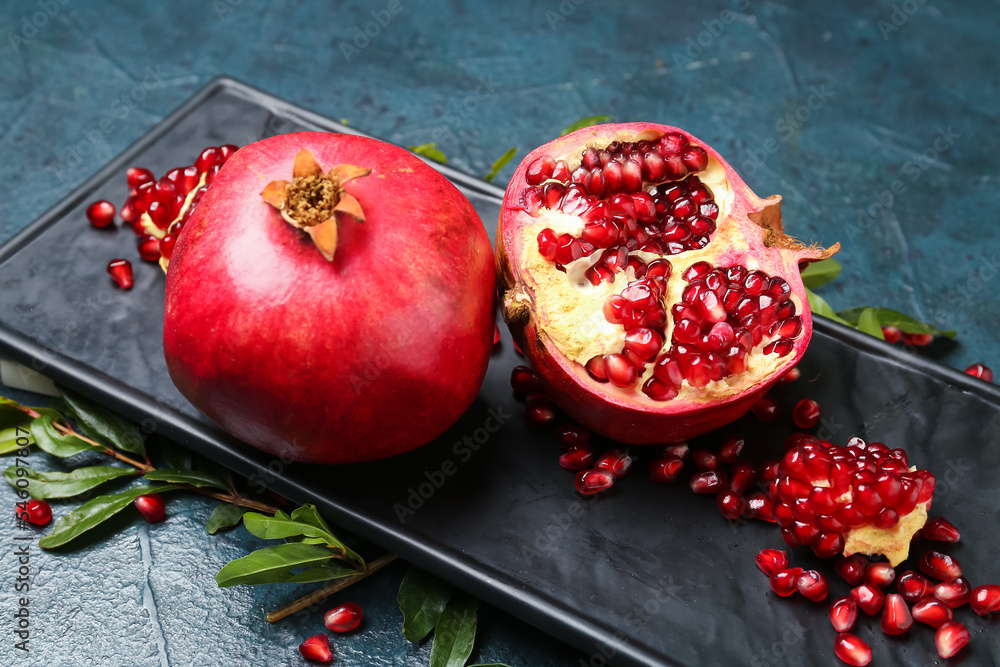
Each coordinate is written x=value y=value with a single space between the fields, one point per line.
x=276 y=564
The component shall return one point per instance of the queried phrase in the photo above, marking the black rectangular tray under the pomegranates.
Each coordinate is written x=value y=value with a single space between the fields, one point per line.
x=643 y=575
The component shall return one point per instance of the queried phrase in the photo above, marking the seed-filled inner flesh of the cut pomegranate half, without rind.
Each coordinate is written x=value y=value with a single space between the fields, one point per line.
x=641 y=276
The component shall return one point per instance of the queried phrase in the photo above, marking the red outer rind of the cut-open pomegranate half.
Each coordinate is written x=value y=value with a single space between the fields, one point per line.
x=600 y=407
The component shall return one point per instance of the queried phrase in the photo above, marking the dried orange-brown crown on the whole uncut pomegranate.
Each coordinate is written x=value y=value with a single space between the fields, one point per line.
x=315 y=202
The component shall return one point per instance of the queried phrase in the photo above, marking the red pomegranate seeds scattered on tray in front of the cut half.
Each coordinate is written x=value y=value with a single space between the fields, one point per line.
x=817 y=493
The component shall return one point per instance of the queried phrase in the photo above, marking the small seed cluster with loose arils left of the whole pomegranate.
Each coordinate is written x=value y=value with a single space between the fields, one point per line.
x=157 y=209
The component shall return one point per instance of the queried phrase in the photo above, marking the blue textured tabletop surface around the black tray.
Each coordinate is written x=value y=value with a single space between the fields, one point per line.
x=828 y=105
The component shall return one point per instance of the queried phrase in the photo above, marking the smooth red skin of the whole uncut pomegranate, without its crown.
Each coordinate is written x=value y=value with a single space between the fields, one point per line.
x=371 y=355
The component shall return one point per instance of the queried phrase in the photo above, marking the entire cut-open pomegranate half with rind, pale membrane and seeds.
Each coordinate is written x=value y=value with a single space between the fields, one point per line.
x=653 y=291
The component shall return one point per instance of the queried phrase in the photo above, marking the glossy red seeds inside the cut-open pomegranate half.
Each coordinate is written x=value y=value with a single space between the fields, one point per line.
x=644 y=198
